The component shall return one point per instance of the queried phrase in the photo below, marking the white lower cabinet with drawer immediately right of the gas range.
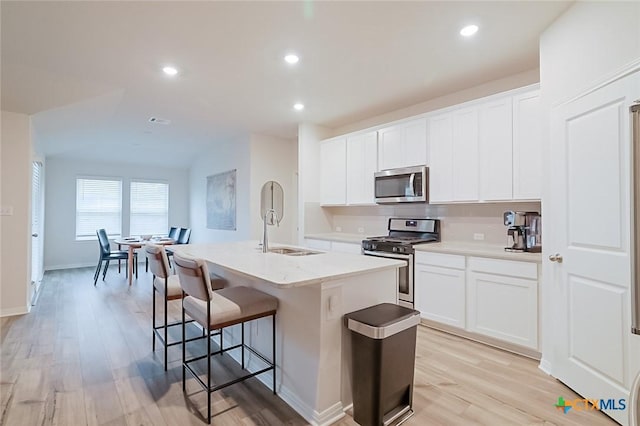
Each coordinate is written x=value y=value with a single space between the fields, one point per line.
x=440 y=291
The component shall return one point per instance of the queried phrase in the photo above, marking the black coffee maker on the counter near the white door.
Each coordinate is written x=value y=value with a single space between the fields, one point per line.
x=524 y=231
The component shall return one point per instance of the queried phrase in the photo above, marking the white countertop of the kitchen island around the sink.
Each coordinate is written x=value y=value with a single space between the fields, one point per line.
x=246 y=258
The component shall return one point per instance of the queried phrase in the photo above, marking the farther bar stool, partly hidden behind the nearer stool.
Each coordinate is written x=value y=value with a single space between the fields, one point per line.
x=169 y=287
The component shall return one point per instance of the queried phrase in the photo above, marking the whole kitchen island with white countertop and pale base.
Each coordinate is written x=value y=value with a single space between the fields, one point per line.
x=314 y=292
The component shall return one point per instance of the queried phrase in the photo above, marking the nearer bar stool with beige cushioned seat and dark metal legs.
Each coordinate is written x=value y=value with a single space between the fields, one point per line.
x=216 y=310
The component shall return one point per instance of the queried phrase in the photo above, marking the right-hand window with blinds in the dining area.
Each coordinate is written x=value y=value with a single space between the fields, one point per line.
x=149 y=208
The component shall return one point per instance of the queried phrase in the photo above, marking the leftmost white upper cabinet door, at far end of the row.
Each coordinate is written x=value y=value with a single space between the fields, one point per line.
x=333 y=171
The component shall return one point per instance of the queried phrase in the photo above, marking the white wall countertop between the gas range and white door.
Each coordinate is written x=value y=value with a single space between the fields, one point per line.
x=495 y=251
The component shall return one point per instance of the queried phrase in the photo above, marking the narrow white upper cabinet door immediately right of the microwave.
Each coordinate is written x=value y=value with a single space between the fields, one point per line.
x=441 y=158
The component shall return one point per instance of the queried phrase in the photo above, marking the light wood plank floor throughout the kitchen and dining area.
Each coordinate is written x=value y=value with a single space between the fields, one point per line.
x=83 y=356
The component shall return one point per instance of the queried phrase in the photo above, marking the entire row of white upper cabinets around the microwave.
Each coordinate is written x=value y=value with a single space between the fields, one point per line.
x=484 y=150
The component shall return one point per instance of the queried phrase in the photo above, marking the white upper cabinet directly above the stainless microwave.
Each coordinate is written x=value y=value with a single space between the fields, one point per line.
x=403 y=145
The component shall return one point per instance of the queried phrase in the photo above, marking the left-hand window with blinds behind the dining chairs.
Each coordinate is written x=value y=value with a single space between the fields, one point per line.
x=98 y=205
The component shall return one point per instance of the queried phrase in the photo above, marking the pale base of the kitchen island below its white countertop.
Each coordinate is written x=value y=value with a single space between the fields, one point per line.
x=313 y=346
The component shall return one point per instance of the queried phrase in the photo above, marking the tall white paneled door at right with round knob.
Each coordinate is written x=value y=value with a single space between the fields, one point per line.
x=589 y=218
